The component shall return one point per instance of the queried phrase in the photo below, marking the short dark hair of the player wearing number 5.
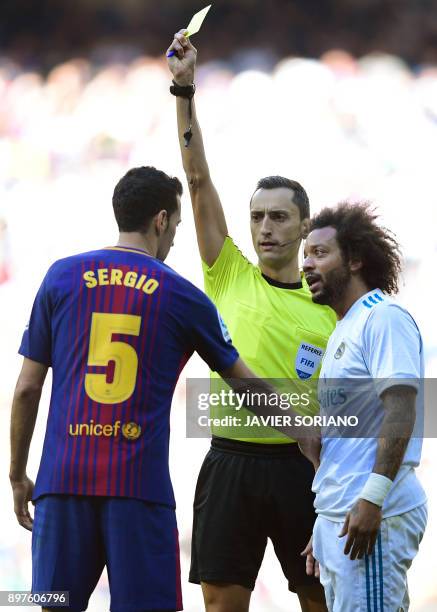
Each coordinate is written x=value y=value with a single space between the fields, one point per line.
x=141 y=194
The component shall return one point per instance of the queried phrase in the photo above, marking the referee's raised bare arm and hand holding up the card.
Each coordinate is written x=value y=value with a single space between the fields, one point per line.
x=209 y=217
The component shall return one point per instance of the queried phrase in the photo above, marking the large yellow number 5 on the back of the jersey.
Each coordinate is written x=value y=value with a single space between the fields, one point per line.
x=103 y=349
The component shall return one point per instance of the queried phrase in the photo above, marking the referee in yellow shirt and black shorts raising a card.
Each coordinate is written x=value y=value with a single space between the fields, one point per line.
x=254 y=488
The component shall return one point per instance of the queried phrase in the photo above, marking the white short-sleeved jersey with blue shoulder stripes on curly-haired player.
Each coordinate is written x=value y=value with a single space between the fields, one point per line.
x=376 y=340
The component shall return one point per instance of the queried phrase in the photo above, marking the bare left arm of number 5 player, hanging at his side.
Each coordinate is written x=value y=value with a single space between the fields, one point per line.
x=24 y=411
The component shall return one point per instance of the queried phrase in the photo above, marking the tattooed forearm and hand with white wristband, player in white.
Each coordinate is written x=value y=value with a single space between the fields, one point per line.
x=363 y=521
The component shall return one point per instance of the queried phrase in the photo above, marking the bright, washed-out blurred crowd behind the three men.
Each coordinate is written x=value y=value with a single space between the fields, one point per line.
x=345 y=128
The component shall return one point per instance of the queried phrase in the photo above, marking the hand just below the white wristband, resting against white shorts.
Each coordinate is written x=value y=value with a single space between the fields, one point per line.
x=361 y=527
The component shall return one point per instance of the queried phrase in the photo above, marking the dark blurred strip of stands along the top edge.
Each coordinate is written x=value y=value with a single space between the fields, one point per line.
x=44 y=32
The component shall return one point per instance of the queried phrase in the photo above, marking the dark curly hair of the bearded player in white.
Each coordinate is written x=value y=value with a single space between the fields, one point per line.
x=361 y=238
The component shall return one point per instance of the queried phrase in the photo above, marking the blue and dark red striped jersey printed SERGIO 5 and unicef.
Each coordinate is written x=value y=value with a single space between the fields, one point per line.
x=117 y=327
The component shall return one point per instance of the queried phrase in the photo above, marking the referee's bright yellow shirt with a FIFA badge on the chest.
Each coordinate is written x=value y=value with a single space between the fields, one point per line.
x=277 y=329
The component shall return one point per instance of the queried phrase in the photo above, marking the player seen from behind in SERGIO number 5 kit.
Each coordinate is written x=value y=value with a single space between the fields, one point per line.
x=117 y=326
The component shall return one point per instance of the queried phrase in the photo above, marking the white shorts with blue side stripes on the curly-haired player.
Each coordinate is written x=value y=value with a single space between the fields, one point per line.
x=377 y=582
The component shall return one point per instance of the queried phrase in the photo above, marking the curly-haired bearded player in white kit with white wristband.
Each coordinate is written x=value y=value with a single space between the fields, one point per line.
x=371 y=507
